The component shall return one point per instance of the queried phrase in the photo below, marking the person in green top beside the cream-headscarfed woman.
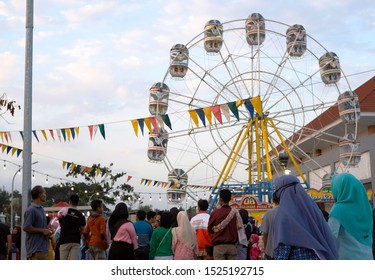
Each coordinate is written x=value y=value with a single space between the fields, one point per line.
x=161 y=239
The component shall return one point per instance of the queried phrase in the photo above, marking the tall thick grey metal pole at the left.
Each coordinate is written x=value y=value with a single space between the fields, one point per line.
x=27 y=125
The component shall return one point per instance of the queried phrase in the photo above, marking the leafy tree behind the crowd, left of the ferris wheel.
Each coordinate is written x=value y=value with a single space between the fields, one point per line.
x=101 y=183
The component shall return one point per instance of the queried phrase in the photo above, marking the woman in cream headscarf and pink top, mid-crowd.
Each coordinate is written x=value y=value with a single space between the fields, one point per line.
x=184 y=241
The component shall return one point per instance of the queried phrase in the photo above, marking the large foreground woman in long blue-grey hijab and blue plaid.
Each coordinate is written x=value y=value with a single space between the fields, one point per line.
x=300 y=231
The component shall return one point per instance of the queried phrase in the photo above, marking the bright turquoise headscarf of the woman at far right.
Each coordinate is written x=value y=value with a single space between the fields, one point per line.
x=352 y=208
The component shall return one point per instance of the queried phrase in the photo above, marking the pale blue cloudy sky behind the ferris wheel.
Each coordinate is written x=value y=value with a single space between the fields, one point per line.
x=95 y=61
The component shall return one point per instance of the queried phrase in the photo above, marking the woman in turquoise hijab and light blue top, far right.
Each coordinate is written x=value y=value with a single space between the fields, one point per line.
x=351 y=218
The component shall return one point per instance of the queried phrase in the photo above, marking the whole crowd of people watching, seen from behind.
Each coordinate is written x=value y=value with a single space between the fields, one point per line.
x=295 y=229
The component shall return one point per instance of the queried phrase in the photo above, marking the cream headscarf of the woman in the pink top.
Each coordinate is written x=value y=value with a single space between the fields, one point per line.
x=184 y=231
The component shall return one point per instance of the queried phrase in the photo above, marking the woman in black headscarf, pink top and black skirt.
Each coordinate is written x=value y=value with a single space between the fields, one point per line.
x=123 y=235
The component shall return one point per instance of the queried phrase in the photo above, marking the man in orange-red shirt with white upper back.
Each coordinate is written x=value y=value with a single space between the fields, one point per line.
x=200 y=223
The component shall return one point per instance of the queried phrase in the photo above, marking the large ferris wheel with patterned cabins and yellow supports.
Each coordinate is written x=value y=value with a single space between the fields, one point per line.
x=248 y=99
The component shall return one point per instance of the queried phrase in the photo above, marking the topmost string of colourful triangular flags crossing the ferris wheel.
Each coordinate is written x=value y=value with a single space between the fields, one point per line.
x=152 y=123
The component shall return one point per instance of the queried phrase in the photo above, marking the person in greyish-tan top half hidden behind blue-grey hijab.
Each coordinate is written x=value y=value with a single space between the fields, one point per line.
x=267 y=228
